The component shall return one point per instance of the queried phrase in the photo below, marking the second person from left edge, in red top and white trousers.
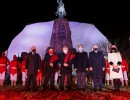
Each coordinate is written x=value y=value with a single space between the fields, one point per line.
x=14 y=64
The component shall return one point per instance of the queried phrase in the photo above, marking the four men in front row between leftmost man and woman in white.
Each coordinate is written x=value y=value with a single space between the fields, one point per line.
x=95 y=62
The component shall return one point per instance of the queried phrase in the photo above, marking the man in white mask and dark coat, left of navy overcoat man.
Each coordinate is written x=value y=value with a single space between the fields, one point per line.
x=81 y=66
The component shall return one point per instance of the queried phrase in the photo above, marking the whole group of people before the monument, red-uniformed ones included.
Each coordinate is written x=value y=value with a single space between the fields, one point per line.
x=47 y=72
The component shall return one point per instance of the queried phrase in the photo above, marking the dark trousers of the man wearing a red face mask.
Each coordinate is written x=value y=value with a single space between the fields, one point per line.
x=49 y=76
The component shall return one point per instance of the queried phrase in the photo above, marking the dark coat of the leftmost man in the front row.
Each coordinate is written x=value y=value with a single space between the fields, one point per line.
x=32 y=63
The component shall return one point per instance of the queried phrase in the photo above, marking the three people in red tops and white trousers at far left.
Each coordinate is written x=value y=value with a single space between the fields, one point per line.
x=13 y=67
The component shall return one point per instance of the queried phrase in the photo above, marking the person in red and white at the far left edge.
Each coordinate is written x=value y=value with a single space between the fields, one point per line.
x=4 y=61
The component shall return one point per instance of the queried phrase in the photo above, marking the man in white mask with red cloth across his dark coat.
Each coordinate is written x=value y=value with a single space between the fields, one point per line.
x=66 y=60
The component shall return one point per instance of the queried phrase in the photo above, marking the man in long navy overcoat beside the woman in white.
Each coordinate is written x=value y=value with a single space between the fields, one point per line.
x=97 y=66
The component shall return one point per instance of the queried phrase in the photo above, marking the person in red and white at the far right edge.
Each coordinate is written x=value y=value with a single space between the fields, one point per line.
x=125 y=69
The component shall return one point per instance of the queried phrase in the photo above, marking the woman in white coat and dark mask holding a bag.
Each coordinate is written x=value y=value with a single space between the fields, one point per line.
x=114 y=59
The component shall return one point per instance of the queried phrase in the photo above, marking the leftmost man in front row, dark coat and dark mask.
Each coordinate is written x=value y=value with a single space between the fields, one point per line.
x=32 y=66
